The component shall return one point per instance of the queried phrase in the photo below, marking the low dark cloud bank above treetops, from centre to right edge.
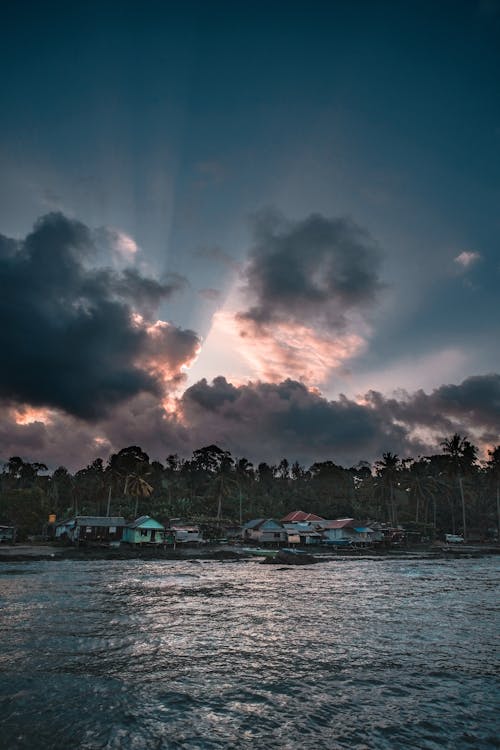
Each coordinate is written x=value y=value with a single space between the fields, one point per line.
x=265 y=421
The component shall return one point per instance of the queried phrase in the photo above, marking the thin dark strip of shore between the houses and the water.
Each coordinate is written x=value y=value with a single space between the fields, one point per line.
x=34 y=553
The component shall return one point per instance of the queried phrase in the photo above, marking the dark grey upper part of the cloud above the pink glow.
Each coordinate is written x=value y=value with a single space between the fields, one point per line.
x=317 y=270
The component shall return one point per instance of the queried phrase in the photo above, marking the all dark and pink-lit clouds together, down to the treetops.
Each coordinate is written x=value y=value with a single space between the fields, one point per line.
x=88 y=367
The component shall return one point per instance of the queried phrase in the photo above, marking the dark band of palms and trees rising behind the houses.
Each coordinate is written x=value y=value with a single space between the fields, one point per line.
x=442 y=491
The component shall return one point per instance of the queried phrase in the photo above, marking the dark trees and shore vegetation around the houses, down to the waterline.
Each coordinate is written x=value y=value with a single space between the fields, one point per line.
x=422 y=500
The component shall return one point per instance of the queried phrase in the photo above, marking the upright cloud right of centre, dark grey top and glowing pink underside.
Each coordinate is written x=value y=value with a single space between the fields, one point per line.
x=306 y=290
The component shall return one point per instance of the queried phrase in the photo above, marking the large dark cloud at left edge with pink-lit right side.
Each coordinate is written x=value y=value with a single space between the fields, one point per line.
x=81 y=338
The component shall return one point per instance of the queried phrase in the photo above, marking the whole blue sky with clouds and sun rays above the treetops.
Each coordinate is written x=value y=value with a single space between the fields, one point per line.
x=271 y=226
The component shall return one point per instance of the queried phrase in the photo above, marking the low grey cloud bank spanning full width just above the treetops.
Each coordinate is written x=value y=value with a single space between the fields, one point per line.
x=265 y=421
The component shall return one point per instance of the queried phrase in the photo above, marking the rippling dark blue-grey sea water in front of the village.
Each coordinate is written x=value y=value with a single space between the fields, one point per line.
x=347 y=654
